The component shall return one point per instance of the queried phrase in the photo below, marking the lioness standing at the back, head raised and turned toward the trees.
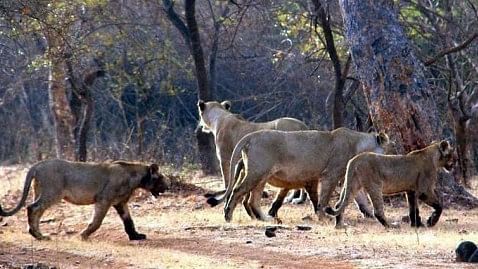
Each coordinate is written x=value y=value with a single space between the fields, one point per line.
x=229 y=128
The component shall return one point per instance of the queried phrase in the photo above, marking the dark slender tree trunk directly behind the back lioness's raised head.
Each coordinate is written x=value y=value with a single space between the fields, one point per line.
x=205 y=141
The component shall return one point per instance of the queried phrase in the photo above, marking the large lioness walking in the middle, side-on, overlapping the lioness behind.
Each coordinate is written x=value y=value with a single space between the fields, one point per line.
x=295 y=160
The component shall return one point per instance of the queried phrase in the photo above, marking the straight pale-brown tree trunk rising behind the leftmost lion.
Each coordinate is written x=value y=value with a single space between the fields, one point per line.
x=58 y=101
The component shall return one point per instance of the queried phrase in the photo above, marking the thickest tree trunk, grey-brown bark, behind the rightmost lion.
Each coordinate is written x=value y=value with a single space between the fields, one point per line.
x=399 y=98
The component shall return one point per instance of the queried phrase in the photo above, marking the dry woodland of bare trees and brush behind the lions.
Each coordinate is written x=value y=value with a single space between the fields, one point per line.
x=98 y=80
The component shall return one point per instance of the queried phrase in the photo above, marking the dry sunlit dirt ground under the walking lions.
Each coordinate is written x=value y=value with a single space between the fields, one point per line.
x=184 y=232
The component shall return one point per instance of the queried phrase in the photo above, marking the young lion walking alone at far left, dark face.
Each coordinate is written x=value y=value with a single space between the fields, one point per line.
x=102 y=184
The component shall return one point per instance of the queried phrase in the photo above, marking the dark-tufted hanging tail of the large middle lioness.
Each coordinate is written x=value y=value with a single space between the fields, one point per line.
x=236 y=158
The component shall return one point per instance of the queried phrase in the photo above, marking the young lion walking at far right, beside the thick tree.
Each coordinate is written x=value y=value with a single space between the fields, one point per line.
x=414 y=173
